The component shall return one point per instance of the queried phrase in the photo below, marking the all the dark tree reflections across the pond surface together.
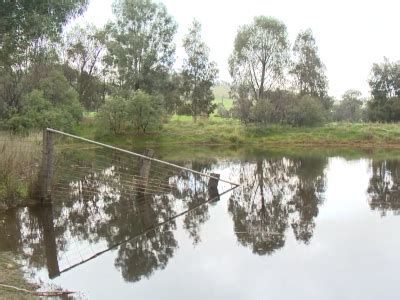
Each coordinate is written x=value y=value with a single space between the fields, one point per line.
x=109 y=206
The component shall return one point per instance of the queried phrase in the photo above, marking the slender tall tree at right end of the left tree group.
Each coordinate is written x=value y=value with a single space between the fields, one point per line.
x=198 y=74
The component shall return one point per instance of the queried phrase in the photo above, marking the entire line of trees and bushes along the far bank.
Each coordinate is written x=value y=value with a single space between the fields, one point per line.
x=124 y=71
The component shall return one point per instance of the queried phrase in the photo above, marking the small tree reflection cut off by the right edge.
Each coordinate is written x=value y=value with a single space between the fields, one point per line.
x=384 y=186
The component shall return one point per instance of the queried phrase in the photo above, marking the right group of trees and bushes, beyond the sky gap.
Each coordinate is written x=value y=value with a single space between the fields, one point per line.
x=276 y=83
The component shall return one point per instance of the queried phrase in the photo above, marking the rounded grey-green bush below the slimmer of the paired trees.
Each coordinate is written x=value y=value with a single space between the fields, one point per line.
x=306 y=111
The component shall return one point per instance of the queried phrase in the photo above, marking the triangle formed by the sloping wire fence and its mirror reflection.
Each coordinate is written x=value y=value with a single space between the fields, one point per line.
x=103 y=196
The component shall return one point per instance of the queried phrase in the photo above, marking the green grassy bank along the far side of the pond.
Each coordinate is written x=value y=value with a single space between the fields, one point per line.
x=217 y=131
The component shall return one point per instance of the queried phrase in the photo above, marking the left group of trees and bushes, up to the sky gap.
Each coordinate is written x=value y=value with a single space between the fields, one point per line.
x=124 y=70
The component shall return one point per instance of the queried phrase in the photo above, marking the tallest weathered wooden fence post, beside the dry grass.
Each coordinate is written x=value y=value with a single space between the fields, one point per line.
x=46 y=174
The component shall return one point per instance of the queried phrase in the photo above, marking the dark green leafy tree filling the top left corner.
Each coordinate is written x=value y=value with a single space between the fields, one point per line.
x=26 y=27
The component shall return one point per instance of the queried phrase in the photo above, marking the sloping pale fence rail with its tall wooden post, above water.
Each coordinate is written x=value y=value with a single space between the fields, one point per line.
x=46 y=173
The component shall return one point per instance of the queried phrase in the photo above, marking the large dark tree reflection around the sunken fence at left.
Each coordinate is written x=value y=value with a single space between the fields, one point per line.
x=96 y=206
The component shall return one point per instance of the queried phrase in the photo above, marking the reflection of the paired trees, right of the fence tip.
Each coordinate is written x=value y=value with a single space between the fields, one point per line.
x=277 y=193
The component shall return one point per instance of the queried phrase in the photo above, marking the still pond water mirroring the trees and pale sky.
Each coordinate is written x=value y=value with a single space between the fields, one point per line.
x=299 y=226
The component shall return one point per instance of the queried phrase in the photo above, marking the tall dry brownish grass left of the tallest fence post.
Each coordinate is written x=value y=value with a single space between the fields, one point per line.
x=19 y=165
